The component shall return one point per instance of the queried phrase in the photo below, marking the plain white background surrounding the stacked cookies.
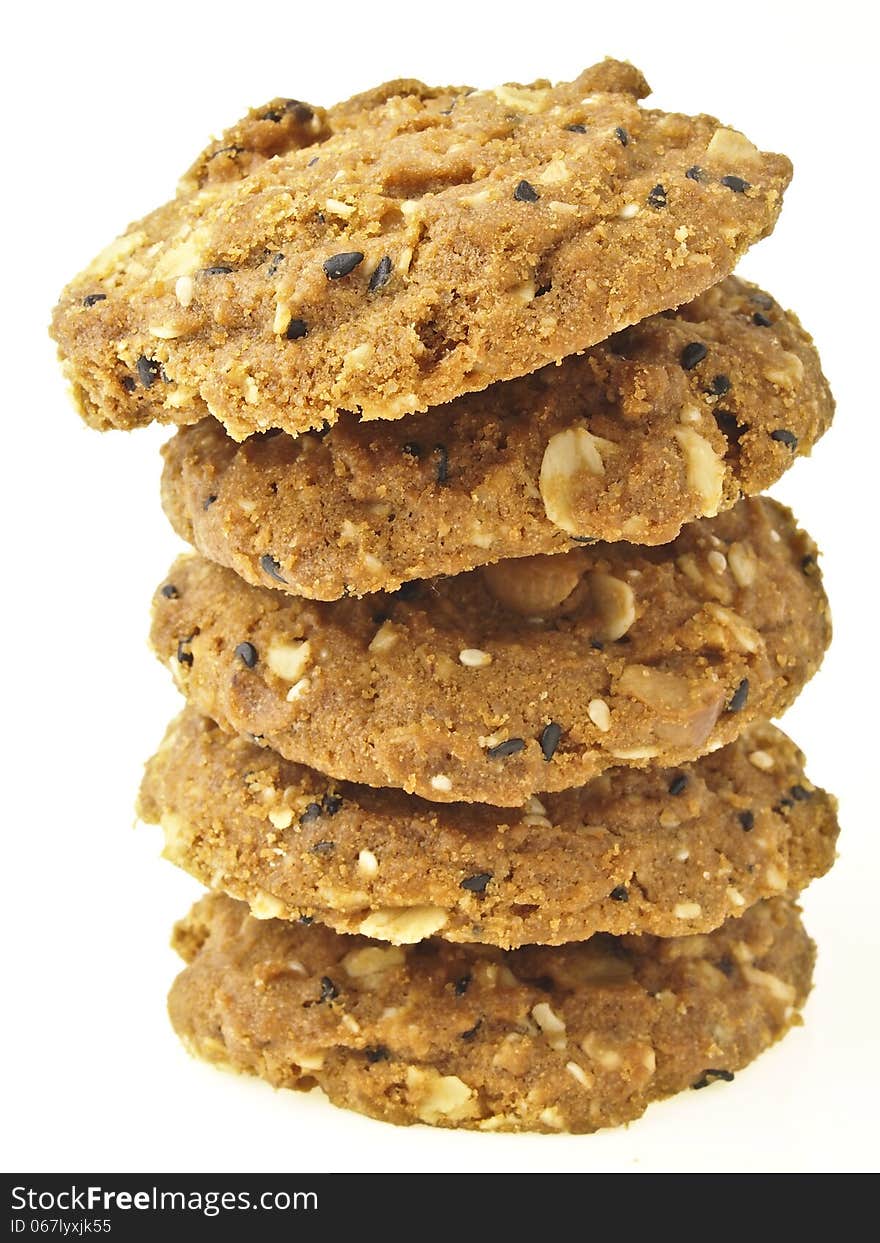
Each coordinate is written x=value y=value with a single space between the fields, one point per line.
x=106 y=106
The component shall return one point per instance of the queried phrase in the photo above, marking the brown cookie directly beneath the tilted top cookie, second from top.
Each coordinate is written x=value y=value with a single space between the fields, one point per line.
x=669 y=421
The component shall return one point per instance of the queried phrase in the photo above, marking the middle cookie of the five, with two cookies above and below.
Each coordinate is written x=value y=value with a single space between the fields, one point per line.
x=531 y=676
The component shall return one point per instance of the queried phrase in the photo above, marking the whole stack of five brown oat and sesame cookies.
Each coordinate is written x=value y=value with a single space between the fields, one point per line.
x=487 y=621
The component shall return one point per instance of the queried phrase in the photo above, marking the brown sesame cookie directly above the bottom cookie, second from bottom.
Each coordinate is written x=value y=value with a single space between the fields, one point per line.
x=666 y=851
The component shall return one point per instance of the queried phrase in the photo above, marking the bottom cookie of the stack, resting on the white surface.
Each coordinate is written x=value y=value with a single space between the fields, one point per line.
x=569 y=1039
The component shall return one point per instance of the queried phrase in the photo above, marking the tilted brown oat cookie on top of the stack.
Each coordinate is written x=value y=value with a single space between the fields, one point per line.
x=406 y=248
